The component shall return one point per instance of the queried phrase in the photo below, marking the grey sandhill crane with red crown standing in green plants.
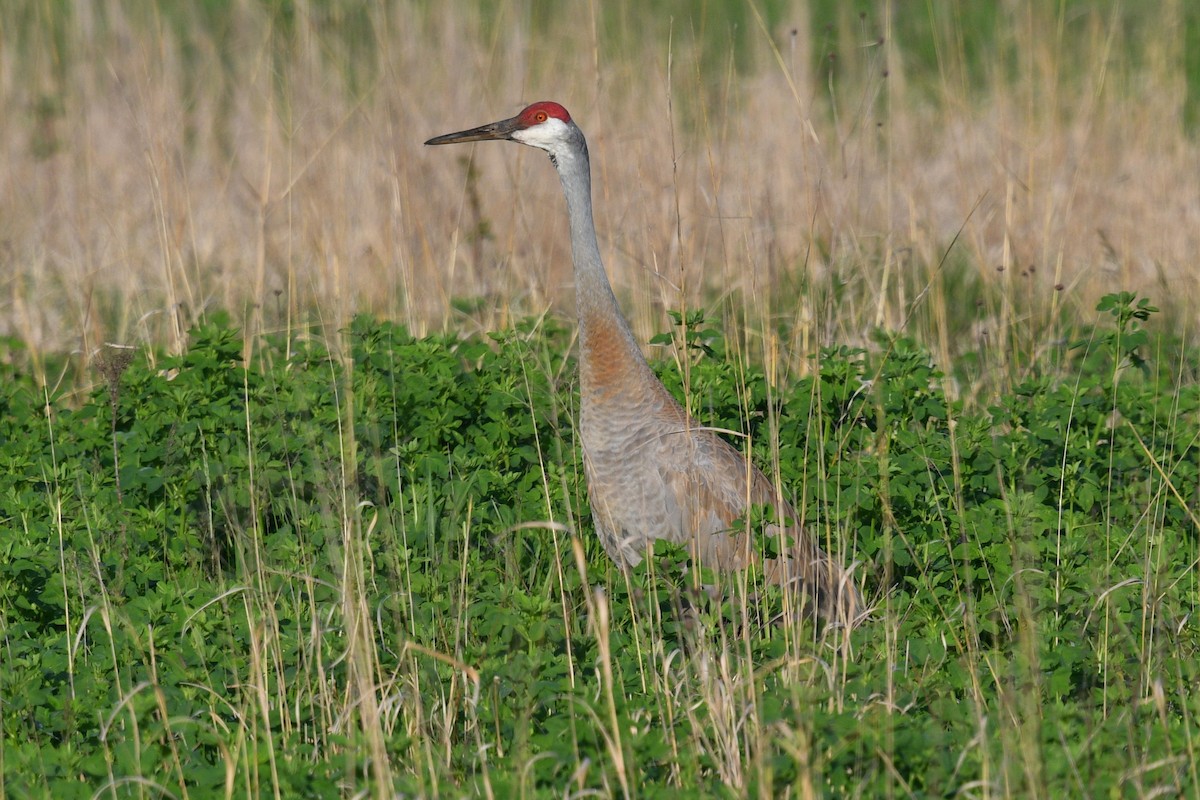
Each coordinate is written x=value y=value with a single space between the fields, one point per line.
x=652 y=472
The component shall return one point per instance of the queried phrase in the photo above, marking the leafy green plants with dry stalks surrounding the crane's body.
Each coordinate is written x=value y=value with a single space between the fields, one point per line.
x=326 y=568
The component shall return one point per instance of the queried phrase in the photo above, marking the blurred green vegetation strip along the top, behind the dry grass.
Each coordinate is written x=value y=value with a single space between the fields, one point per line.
x=941 y=39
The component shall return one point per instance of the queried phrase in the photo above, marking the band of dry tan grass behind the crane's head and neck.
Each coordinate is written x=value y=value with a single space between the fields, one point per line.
x=281 y=175
